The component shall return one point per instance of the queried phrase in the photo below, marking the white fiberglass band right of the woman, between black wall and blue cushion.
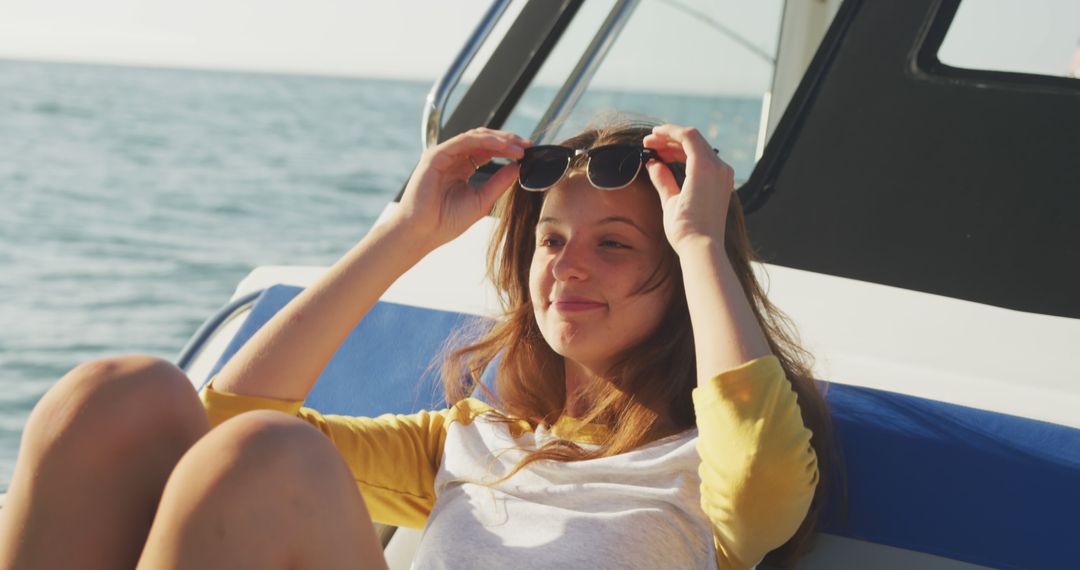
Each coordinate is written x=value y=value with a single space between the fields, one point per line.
x=934 y=347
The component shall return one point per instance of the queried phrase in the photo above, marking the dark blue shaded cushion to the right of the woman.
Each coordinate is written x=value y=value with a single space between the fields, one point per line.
x=961 y=483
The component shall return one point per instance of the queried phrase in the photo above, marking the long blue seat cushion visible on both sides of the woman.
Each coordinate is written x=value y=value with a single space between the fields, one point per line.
x=928 y=477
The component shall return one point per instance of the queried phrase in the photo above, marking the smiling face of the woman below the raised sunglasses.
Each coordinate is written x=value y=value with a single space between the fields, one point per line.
x=597 y=251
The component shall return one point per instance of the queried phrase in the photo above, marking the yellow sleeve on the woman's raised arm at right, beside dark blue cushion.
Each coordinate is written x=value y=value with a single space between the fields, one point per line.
x=759 y=471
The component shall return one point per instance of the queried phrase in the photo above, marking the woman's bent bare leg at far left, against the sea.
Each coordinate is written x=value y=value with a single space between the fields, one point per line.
x=96 y=456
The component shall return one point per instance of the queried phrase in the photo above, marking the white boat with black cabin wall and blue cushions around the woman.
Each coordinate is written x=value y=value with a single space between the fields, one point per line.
x=917 y=221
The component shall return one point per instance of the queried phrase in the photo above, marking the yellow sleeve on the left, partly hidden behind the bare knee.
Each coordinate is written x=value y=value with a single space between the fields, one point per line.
x=394 y=458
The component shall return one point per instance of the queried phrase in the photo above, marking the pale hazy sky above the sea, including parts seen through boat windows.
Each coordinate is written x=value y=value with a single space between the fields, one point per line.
x=417 y=39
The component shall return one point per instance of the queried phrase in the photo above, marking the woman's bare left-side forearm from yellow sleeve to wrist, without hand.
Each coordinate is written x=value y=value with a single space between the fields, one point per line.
x=286 y=358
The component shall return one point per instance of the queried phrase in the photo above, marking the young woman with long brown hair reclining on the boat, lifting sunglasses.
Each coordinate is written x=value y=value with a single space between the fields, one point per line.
x=652 y=410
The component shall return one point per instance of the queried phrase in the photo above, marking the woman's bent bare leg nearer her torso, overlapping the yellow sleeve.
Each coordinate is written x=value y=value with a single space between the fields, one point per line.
x=263 y=491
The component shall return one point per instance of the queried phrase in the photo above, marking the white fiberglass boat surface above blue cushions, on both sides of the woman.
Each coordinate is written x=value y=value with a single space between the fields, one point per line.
x=861 y=334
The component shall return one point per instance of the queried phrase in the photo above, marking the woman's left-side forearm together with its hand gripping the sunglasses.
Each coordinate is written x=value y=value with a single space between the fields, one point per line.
x=286 y=358
